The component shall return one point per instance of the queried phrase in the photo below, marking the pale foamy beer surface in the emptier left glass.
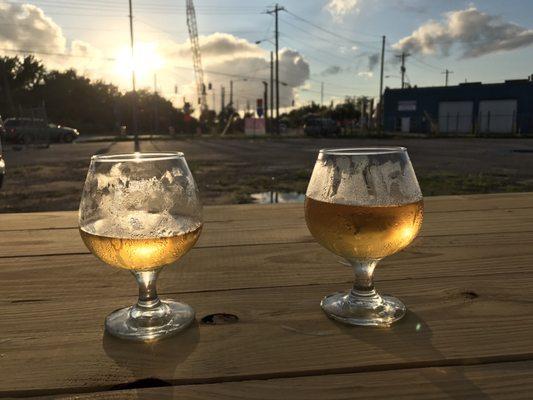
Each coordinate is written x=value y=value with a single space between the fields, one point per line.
x=142 y=225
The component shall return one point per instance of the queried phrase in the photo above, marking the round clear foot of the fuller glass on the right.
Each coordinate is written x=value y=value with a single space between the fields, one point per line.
x=367 y=310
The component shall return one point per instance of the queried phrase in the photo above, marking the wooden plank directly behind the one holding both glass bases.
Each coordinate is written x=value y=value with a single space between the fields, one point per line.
x=240 y=267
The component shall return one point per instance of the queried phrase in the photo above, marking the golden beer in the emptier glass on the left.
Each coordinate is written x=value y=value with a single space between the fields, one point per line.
x=140 y=254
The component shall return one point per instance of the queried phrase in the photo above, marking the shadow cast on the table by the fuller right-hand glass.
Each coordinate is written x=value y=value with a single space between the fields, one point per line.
x=409 y=339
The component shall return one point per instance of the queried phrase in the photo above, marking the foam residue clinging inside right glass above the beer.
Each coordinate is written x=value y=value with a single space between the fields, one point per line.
x=363 y=180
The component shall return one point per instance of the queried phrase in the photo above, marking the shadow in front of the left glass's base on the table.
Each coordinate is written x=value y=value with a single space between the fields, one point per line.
x=152 y=364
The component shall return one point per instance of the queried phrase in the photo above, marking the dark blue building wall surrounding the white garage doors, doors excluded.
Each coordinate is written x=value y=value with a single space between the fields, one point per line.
x=424 y=118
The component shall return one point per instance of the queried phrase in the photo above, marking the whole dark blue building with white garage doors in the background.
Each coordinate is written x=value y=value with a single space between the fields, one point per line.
x=468 y=108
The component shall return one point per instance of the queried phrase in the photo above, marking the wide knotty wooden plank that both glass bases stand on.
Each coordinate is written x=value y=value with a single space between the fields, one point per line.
x=281 y=333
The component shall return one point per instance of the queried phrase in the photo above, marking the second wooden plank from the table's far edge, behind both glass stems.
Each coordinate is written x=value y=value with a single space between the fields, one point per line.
x=267 y=231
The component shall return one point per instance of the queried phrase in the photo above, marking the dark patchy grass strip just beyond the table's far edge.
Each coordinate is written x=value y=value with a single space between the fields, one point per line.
x=57 y=186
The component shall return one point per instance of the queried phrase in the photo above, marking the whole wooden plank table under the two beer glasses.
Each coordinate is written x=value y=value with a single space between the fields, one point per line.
x=467 y=281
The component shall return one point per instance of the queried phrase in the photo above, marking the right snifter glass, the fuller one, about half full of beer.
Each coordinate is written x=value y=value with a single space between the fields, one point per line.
x=364 y=204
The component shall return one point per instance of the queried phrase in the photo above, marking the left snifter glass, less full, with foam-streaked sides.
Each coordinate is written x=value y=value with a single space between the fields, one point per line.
x=140 y=212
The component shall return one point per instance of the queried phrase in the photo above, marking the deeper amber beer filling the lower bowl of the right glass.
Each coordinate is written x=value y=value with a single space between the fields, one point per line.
x=363 y=232
